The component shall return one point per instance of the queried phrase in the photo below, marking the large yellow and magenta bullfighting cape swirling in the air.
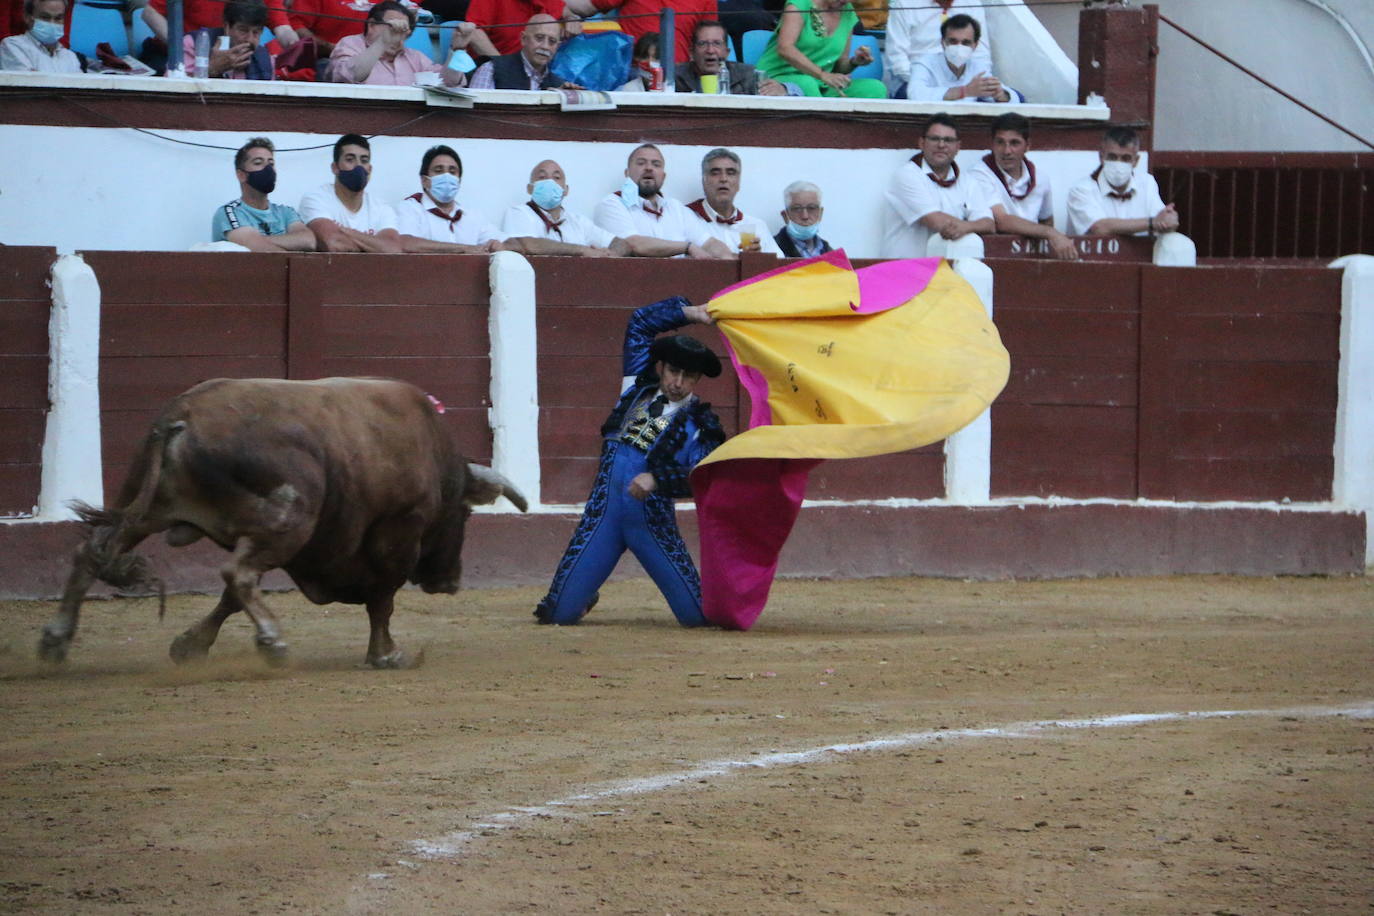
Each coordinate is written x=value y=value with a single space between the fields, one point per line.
x=839 y=363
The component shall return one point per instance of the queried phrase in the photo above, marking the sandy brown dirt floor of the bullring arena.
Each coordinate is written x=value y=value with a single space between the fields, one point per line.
x=630 y=767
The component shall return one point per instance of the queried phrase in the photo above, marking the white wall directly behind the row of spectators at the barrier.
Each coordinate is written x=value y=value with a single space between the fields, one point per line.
x=145 y=193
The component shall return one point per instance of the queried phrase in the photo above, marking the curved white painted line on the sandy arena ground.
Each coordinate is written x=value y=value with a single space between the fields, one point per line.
x=454 y=844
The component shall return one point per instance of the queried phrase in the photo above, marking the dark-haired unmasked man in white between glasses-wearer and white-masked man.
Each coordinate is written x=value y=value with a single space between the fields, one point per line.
x=1022 y=201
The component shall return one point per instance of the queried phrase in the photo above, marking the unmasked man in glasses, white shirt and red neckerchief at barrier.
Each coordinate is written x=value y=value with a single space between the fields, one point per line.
x=928 y=196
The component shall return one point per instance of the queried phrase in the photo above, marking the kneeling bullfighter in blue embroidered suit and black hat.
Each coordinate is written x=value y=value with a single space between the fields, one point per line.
x=651 y=443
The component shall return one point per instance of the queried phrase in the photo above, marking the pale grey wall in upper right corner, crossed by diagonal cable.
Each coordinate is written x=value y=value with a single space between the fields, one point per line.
x=1206 y=104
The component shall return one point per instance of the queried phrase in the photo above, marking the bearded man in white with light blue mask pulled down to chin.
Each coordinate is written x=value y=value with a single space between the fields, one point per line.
x=640 y=209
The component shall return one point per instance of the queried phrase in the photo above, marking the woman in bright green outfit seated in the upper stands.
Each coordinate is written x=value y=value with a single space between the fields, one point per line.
x=811 y=50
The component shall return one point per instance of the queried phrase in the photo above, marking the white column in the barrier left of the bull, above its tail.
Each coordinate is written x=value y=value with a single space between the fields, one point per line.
x=72 y=440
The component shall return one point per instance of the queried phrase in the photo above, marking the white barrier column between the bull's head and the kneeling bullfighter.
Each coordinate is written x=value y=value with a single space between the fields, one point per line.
x=515 y=413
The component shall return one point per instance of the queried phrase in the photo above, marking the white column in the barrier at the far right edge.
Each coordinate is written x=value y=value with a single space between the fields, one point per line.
x=1353 y=483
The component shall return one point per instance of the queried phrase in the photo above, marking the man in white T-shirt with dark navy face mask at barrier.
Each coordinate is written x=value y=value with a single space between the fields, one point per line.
x=341 y=215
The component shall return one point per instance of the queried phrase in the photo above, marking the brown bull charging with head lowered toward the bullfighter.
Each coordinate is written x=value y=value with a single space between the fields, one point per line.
x=354 y=487
